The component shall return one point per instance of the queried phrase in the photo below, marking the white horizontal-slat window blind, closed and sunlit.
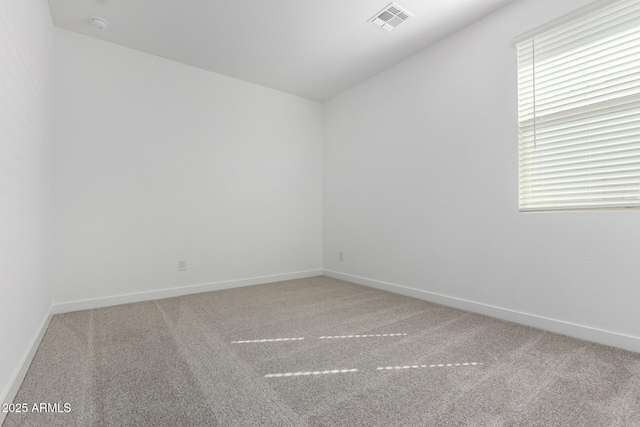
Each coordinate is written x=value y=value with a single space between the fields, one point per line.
x=579 y=112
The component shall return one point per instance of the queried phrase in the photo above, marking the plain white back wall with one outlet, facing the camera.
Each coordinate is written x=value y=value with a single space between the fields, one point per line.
x=157 y=161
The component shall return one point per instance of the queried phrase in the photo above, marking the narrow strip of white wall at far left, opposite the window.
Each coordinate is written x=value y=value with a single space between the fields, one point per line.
x=26 y=68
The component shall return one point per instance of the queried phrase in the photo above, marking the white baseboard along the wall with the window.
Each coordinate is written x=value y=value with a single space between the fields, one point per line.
x=613 y=339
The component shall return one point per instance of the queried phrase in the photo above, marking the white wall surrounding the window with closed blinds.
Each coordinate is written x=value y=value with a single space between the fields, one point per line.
x=421 y=191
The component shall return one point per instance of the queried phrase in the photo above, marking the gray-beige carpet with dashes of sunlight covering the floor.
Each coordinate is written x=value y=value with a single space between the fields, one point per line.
x=319 y=352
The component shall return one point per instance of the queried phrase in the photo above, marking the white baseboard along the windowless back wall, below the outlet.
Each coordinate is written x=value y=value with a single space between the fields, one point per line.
x=67 y=307
